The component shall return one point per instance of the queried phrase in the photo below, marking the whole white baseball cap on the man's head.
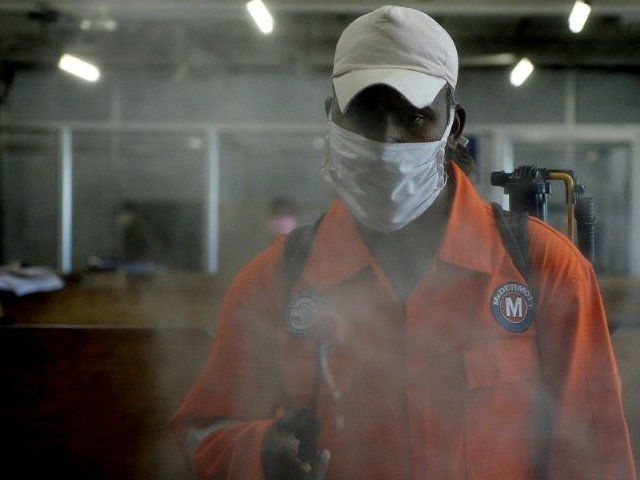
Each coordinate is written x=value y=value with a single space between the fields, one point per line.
x=396 y=46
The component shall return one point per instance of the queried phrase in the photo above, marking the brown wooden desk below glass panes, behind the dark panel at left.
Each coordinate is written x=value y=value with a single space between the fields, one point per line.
x=171 y=299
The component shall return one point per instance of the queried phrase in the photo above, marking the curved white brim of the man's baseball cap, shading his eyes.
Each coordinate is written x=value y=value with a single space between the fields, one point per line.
x=418 y=88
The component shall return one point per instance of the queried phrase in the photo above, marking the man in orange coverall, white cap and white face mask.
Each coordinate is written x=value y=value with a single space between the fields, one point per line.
x=410 y=346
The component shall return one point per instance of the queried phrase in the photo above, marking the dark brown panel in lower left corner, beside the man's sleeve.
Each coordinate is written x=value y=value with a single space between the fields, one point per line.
x=94 y=403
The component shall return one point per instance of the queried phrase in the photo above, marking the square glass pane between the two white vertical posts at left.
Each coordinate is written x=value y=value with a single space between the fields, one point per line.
x=139 y=196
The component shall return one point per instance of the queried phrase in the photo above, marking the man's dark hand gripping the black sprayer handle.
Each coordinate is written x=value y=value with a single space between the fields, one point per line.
x=289 y=450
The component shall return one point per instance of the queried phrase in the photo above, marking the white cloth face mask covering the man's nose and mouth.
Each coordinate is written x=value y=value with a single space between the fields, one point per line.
x=385 y=186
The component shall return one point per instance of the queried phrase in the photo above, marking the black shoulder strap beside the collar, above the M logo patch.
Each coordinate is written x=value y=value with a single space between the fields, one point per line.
x=514 y=233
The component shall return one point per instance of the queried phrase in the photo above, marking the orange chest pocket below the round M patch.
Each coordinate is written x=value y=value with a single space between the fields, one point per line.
x=503 y=383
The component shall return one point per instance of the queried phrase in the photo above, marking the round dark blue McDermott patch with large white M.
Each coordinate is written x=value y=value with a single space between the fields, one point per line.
x=512 y=306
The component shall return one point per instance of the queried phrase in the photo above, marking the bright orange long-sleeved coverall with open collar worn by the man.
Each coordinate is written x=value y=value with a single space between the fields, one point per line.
x=462 y=382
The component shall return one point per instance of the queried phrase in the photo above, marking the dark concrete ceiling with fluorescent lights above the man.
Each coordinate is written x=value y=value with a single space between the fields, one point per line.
x=198 y=37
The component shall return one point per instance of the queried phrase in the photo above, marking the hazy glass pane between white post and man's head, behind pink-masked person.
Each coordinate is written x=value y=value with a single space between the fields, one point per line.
x=256 y=169
